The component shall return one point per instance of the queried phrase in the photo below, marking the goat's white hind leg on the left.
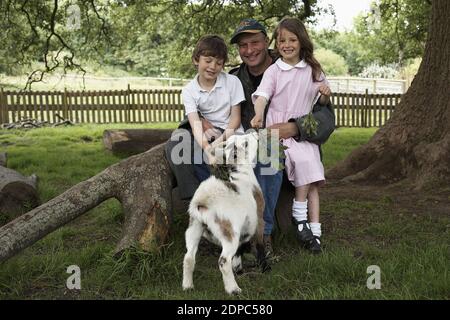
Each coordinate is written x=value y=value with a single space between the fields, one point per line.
x=193 y=235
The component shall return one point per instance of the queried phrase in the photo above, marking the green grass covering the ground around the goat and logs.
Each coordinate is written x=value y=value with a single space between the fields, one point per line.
x=411 y=251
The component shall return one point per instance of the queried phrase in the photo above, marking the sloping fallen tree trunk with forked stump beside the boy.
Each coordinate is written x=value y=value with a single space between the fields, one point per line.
x=143 y=185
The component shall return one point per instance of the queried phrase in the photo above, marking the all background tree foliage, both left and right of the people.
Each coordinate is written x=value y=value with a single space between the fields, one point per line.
x=156 y=38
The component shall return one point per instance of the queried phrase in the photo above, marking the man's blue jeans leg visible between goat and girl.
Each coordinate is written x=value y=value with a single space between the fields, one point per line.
x=270 y=183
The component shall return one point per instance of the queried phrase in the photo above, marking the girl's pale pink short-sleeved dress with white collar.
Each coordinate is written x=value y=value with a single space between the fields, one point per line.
x=291 y=92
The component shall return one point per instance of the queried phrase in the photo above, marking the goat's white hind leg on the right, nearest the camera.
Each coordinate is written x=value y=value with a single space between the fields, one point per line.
x=228 y=251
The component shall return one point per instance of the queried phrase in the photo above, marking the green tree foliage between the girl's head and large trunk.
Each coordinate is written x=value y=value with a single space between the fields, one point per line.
x=393 y=32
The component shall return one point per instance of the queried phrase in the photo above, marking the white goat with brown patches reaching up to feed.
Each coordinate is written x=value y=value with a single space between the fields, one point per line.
x=228 y=212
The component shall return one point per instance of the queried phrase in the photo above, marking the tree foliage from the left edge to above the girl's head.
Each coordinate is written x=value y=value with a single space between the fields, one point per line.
x=147 y=37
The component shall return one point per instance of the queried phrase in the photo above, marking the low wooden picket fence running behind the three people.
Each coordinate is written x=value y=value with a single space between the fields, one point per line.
x=162 y=105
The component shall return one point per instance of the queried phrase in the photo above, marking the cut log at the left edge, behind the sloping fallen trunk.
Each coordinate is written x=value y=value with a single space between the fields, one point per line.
x=18 y=194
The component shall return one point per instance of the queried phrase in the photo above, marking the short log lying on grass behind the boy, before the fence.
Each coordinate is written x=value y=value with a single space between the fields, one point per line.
x=134 y=141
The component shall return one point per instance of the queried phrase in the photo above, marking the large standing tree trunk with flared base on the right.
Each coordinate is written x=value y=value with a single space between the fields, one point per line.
x=415 y=143
